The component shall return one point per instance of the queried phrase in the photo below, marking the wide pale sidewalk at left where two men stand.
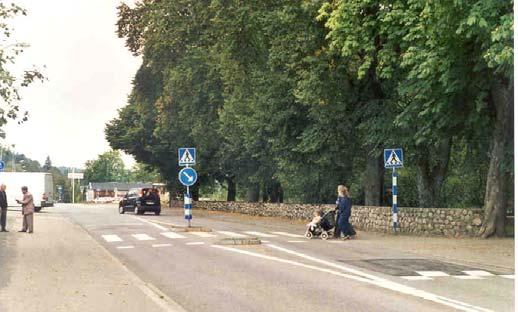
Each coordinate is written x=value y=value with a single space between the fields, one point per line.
x=61 y=268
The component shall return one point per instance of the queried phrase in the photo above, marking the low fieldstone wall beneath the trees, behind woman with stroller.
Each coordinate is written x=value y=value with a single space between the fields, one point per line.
x=448 y=222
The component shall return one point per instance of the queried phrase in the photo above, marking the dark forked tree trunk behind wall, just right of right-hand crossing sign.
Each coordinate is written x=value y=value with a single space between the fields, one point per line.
x=430 y=177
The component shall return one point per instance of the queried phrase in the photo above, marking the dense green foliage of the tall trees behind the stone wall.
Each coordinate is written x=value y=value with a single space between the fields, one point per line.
x=293 y=97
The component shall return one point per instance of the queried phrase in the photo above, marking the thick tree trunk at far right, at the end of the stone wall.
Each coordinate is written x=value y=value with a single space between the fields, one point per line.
x=495 y=202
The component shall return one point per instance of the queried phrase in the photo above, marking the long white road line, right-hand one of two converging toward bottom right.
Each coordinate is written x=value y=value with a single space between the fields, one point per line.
x=387 y=284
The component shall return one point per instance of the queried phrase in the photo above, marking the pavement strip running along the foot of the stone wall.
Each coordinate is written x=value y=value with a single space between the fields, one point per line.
x=491 y=253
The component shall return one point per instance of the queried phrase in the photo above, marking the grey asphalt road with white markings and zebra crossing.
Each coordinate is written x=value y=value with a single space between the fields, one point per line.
x=286 y=272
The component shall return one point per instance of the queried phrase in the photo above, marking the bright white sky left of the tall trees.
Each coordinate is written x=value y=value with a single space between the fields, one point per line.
x=89 y=72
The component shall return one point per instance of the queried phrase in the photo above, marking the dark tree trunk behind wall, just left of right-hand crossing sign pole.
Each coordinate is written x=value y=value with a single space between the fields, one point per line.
x=373 y=180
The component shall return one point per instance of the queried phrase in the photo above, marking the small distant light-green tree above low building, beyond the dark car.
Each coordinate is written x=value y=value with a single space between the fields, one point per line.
x=108 y=167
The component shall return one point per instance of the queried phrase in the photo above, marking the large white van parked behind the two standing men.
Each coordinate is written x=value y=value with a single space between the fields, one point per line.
x=40 y=185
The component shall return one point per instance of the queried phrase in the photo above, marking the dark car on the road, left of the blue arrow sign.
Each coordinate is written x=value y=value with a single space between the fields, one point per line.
x=141 y=200
